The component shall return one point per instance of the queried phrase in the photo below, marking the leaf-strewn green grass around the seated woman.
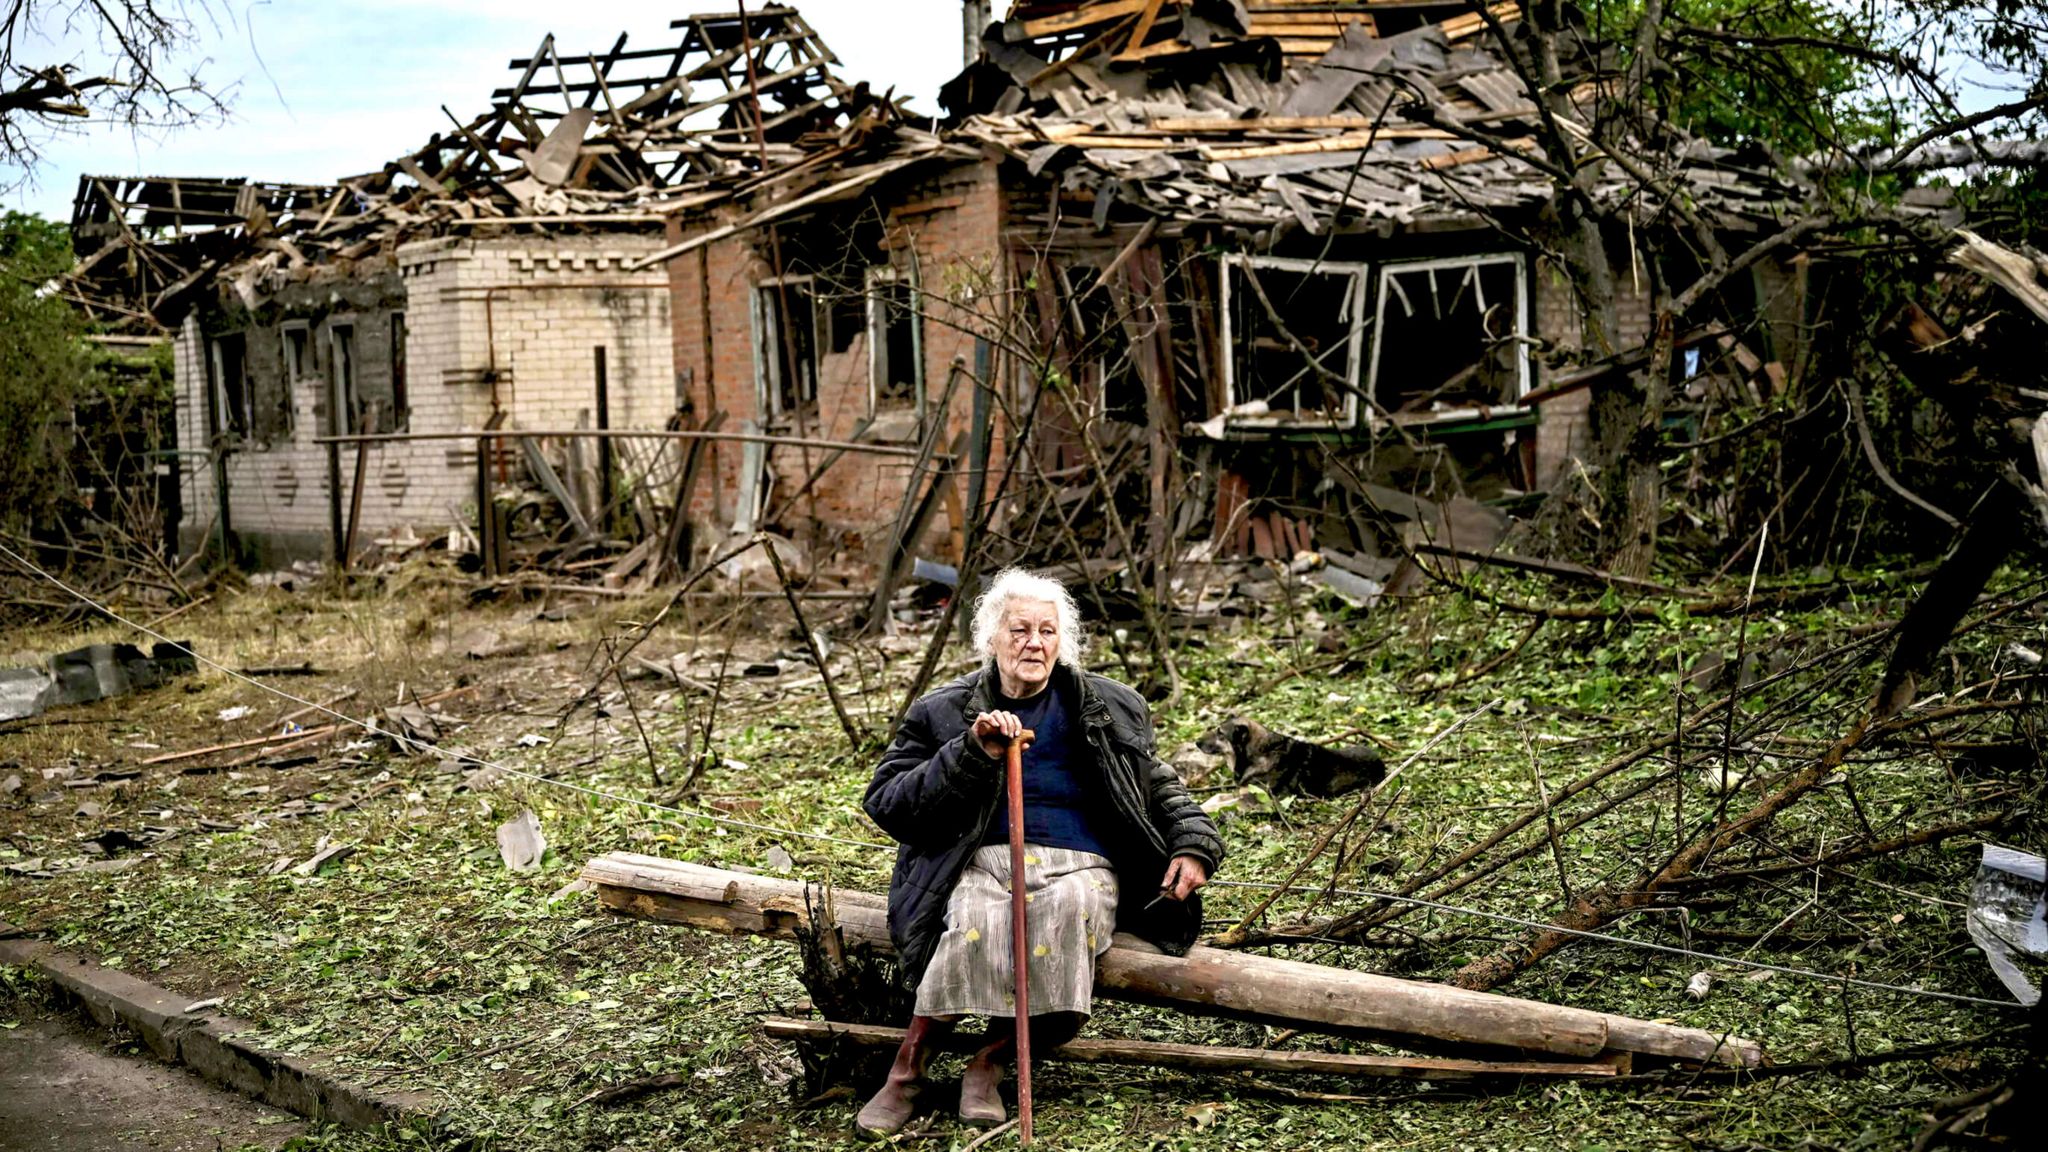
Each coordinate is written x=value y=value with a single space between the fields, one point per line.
x=421 y=962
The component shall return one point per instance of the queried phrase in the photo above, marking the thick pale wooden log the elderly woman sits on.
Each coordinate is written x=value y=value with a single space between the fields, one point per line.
x=1211 y=981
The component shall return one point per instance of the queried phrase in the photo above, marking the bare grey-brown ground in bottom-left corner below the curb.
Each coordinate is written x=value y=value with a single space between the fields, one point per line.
x=67 y=1089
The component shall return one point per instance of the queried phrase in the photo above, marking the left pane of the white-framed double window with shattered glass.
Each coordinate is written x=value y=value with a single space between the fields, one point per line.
x=1293 y=337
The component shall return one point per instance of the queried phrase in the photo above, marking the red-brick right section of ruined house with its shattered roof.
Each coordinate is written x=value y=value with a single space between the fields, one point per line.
x=1220 y=241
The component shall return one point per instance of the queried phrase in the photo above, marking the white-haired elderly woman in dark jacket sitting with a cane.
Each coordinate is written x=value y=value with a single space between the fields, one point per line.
x=1103 y=819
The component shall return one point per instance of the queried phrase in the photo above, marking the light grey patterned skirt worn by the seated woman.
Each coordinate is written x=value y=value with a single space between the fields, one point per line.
x=1068 y=921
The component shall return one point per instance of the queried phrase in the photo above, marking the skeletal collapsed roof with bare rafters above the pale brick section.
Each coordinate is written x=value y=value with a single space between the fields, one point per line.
x=597 y=140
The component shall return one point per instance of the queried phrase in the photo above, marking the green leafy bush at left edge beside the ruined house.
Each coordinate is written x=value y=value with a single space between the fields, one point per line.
x=42 y=366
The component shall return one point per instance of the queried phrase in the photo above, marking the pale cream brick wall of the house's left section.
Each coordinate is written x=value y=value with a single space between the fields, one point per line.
x=534 y=308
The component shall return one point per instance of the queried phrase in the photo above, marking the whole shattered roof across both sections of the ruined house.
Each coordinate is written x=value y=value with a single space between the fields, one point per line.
x=1258 y=114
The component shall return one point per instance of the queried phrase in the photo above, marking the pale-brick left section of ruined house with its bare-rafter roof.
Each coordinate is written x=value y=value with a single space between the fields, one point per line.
x=335 y=341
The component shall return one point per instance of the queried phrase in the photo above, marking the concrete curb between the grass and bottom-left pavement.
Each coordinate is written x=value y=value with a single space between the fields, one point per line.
x=210 y=1046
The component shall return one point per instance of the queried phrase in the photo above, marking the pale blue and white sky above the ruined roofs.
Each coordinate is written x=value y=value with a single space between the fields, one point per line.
x=325 y=91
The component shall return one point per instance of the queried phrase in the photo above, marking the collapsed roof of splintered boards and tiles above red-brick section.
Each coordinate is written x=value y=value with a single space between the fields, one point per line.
x=1297 y=112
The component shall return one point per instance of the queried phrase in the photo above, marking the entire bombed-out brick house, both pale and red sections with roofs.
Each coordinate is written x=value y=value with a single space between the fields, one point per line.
x=1244 y=261
